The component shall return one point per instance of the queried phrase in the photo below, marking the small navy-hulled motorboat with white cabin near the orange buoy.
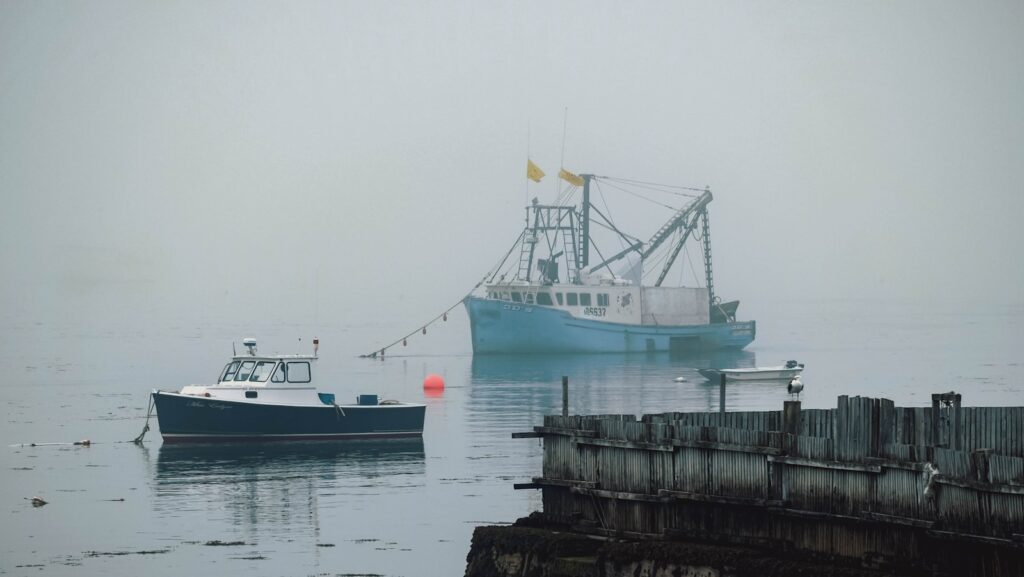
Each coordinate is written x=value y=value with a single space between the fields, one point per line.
x=274 y=398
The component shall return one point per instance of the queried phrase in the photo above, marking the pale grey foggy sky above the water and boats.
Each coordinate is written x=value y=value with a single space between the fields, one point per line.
x=362 y=162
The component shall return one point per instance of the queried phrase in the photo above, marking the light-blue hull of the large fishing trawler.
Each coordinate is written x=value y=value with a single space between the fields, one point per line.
x=500 y=327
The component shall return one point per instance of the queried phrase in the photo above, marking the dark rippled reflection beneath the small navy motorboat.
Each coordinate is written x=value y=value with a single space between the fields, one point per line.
x=279 y=484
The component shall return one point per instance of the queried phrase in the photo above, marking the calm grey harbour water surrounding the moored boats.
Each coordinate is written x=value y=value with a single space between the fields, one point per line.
x=392 y=508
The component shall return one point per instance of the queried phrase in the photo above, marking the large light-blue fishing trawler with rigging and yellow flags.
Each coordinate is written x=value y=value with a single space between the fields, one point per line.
x=556 y=300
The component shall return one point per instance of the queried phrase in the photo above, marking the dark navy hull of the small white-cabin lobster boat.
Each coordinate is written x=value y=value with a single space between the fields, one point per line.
x=198 y=420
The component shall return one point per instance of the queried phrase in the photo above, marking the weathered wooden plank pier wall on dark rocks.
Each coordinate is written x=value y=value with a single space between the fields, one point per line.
x=930 y=490
